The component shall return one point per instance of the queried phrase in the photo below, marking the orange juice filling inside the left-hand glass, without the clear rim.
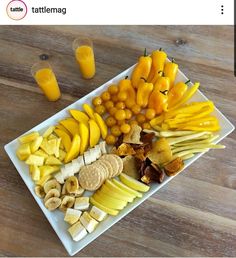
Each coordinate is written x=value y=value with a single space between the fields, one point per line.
x=48 y=83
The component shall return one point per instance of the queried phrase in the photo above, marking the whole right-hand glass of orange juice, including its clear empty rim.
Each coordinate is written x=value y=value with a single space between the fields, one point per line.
x=83 y=48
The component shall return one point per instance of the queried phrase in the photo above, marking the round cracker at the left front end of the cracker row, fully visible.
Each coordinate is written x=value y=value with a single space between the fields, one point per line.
x=90 y=178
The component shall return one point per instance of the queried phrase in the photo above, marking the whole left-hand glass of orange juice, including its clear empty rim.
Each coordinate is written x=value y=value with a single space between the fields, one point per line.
x=46 y=80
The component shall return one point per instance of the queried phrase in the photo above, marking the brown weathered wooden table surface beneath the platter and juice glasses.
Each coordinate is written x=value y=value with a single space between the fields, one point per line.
x=194 y=215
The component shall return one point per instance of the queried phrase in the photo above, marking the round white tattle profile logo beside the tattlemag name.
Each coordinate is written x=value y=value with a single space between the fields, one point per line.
x=16 y=10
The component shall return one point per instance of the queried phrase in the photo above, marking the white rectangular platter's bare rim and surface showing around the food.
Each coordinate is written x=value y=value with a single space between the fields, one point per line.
x=56 y=218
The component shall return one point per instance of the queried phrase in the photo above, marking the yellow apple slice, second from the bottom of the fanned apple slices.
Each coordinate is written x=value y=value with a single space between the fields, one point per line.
x=108 y=201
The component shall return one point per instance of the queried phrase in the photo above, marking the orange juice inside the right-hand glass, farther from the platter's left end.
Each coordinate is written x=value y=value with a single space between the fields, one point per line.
x=85 y=58
